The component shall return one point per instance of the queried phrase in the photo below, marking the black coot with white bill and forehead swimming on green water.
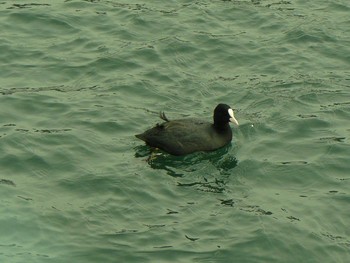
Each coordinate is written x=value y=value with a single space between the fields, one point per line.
x=184 y=136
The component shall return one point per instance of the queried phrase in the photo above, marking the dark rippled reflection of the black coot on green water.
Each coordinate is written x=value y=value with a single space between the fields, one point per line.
x=206 y=171
